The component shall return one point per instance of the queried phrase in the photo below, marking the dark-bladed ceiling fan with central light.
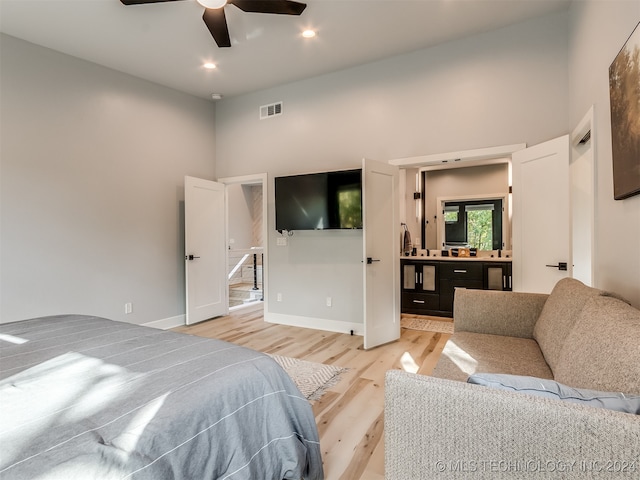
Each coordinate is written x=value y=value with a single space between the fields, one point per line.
x=216 y=21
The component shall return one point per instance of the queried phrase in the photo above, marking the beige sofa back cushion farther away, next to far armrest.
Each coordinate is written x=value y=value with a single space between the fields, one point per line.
x=558 y=316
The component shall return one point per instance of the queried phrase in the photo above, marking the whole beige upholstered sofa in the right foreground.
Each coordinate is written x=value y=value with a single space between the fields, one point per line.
x=441 y=427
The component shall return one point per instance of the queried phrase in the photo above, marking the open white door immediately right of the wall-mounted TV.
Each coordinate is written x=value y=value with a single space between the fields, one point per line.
x=381 y=253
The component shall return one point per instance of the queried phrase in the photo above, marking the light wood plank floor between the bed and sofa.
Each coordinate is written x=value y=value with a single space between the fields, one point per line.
x=350 y=415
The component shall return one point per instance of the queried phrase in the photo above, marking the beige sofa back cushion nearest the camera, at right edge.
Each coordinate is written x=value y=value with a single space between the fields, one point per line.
x=602 y=352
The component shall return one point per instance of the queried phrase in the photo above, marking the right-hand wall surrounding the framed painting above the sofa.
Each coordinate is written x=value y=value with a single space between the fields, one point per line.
x=599 y=29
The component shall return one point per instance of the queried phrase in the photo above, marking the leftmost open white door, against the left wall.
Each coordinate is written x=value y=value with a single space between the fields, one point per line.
x=205 y=249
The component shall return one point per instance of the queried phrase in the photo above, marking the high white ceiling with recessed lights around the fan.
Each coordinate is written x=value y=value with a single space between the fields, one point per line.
x=167 y=43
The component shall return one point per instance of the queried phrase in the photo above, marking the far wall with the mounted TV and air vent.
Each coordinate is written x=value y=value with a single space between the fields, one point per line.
x=503 y=87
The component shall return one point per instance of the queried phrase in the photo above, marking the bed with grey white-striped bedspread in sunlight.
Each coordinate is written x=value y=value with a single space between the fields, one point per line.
x=83 y=397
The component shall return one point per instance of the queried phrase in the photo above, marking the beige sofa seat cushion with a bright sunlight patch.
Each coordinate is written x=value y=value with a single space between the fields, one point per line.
x=466 y=353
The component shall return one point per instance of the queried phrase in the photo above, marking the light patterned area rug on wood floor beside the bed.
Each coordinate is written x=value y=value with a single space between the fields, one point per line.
x=311 y=378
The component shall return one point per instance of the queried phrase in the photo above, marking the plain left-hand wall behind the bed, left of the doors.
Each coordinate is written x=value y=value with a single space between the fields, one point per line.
x=92 y=171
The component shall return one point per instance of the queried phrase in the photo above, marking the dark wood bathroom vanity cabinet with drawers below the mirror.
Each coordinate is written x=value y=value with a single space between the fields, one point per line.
x=428 y=286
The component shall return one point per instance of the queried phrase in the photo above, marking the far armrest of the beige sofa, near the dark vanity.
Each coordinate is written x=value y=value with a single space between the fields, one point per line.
x=513 y=314
